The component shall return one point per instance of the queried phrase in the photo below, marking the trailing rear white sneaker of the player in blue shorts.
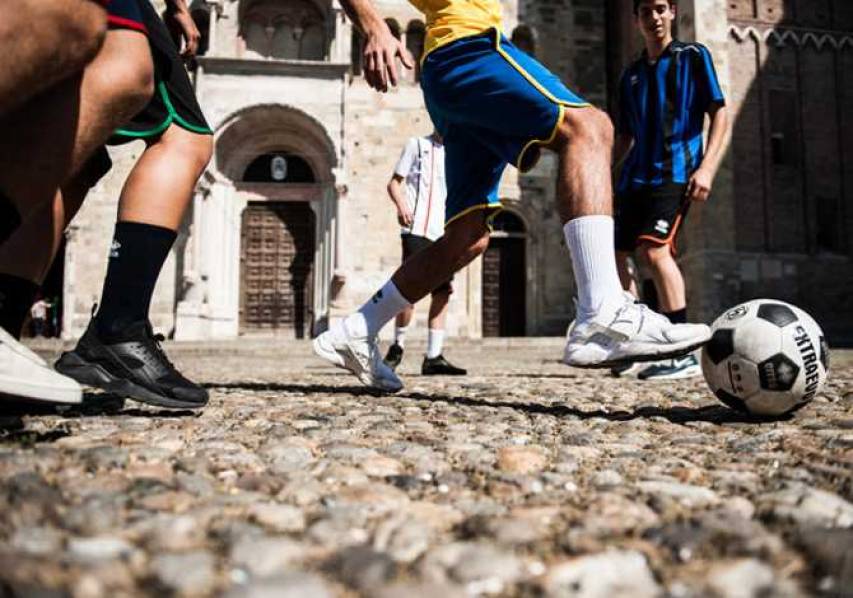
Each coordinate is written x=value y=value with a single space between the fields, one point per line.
x=358 y=355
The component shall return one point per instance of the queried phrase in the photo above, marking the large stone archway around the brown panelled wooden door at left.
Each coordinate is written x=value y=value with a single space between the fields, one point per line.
x=215 y=299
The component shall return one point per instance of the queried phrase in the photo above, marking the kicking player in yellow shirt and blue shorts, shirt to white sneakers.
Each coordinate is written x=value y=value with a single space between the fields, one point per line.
x=494 y=105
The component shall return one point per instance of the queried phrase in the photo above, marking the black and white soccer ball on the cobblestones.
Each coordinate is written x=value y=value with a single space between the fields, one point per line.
x=765 y=357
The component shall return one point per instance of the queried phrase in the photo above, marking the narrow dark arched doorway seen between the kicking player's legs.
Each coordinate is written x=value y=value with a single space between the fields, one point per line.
x=504 y=276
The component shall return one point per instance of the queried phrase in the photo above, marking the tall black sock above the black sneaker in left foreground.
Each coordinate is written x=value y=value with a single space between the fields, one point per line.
x=136 y=257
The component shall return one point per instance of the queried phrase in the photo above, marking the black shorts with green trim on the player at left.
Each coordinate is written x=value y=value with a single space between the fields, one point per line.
x=174 y=98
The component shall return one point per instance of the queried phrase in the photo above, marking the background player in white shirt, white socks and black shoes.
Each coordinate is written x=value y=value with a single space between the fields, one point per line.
x=418 y=190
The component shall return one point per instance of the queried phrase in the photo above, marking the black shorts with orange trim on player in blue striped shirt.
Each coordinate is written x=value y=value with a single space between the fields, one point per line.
x=650 y=215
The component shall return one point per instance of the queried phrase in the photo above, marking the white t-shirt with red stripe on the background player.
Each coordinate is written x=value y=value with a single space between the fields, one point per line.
x=422 y=167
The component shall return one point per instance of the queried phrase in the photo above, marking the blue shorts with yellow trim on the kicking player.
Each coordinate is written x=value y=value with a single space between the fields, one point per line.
x=494 y=105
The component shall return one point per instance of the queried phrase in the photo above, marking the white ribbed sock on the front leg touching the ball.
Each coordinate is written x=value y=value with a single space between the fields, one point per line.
x=592 y=246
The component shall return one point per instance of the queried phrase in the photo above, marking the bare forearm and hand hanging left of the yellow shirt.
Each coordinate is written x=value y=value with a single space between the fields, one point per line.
x=382 y=48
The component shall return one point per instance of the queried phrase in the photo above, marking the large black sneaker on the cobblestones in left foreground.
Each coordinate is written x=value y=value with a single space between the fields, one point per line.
x=132 y=366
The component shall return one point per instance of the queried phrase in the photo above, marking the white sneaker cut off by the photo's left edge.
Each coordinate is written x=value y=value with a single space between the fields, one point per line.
x=25 y=375
